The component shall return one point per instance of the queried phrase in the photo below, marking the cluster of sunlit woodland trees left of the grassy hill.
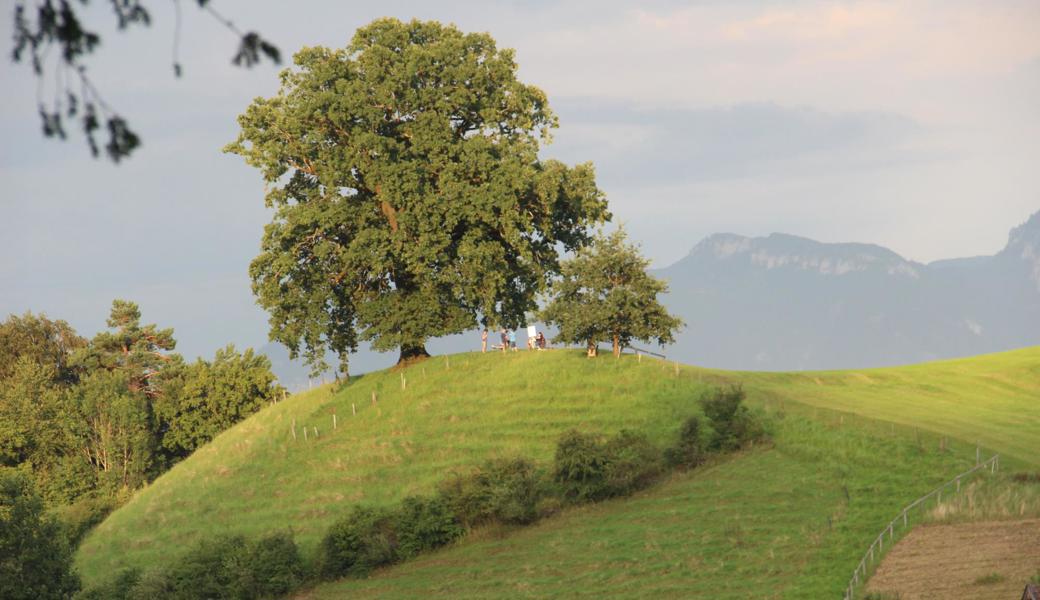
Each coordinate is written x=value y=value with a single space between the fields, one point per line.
x=94 y=419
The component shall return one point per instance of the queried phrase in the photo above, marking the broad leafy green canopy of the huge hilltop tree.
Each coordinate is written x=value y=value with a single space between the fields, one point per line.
x=410 y=199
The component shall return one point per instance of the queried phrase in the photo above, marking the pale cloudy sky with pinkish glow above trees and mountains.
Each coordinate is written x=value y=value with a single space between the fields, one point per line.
x=915 y=125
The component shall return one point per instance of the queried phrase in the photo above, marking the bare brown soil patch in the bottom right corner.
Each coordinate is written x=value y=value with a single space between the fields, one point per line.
x=960 y=561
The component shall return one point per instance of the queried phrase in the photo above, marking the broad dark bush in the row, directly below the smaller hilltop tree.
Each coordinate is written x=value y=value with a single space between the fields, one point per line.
x=589 y=468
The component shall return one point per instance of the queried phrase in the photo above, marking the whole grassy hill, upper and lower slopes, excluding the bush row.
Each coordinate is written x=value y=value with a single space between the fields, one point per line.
x=793 y=518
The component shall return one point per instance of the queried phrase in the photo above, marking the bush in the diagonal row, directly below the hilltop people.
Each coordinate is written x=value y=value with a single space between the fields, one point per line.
x=505 y=491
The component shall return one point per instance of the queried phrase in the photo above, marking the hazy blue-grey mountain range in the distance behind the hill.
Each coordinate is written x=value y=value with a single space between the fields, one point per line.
x=788 y=303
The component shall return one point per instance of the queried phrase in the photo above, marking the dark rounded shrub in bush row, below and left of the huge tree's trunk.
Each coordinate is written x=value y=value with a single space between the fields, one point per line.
x=355 y=545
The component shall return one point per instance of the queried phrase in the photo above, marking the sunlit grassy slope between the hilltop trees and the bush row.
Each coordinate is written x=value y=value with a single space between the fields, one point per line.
x=256 y=478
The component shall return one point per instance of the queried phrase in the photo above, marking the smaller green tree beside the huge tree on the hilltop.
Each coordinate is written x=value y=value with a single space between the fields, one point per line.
x=606 y=294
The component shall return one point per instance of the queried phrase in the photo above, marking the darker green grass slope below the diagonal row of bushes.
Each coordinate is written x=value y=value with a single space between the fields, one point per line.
x=775 y=519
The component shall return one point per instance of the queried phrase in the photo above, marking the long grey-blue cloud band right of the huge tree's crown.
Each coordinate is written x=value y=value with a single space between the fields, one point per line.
x=634 y=147
